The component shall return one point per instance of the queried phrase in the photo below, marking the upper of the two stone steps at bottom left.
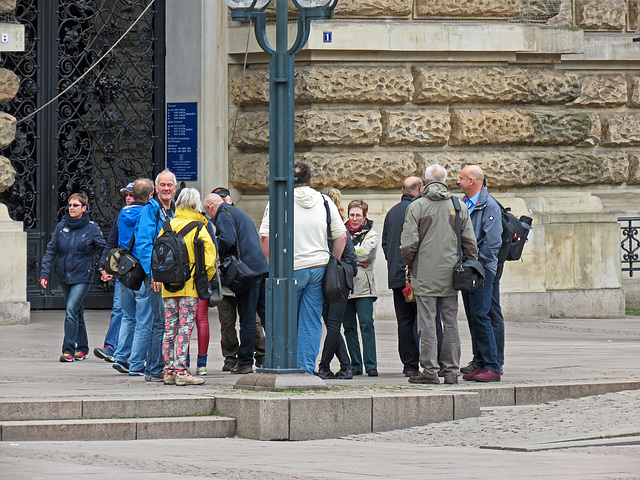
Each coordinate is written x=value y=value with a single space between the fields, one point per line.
x=111 y=408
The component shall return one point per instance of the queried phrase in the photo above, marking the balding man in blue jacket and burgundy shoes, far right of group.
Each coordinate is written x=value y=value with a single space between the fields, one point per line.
x=486 y=336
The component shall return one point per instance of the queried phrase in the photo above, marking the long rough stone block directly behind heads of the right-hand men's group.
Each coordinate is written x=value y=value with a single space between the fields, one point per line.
x=513 y=169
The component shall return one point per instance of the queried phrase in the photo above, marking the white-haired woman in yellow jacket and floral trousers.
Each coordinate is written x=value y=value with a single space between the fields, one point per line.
x=180 y=307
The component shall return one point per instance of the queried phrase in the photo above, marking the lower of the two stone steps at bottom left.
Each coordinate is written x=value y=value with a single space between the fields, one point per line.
x=118 y=429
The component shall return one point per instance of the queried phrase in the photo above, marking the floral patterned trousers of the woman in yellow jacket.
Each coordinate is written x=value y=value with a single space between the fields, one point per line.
x=179 y=318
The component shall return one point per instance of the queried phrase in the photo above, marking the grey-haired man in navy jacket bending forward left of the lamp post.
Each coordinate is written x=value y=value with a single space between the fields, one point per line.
x=236 y=233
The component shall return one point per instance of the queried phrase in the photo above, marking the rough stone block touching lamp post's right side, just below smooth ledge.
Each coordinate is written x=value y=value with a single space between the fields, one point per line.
x=354 y=85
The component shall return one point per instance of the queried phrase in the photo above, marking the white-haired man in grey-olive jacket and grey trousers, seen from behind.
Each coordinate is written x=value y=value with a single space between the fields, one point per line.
x=429 y=246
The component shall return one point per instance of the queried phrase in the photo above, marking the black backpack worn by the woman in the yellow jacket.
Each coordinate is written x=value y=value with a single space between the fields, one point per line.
x=170 y=257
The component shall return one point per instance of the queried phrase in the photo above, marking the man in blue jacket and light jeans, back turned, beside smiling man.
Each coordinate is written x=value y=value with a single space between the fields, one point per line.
x=136 y=310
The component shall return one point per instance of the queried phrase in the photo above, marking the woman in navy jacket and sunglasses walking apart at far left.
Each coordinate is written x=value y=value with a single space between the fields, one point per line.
x=75 y=242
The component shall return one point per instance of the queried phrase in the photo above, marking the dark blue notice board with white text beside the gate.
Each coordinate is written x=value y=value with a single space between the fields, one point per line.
x=182 y=140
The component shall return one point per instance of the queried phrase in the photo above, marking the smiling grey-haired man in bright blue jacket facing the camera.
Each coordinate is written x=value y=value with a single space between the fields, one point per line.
x=157 y=210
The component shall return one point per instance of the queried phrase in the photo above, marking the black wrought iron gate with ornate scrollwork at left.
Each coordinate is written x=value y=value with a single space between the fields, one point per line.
x=104 y=132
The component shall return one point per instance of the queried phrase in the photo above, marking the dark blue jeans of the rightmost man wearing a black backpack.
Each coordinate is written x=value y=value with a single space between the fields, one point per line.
x=477 y=304
